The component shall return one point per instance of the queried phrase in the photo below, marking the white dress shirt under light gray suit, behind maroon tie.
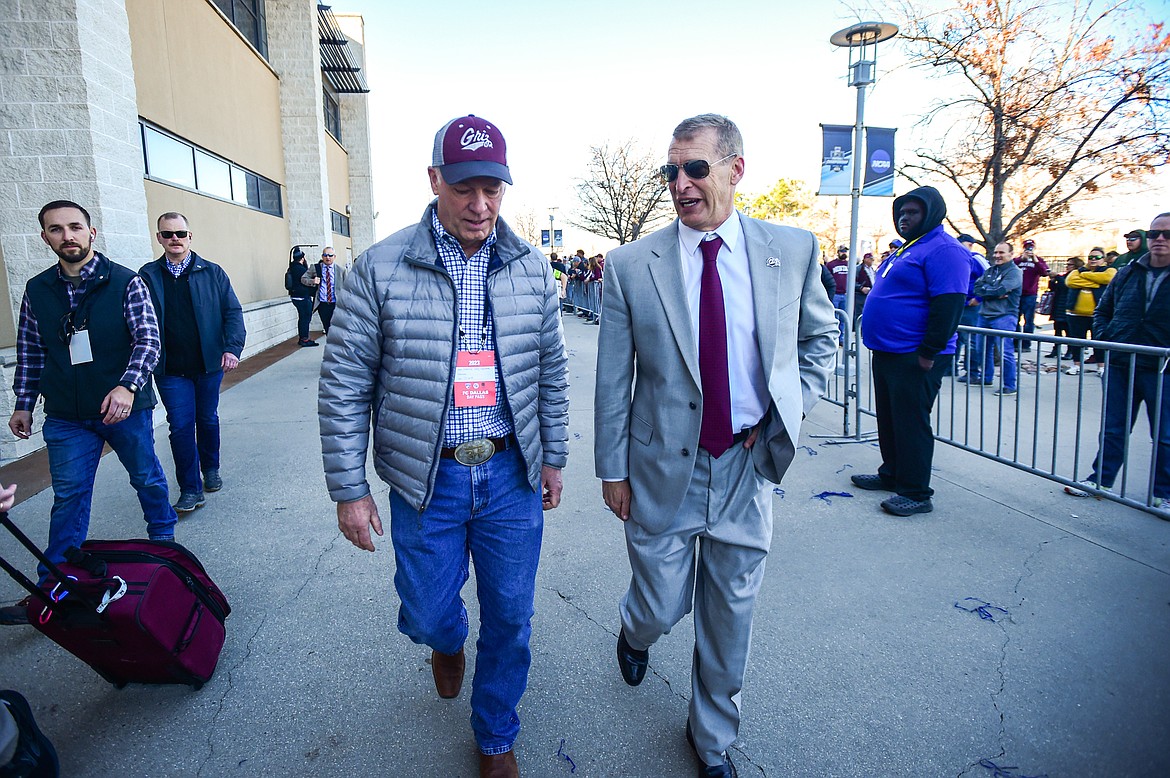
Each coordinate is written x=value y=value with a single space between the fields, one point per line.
x=749 y=388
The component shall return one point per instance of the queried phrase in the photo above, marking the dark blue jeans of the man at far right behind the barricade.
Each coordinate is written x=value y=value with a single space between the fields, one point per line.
x=1118 y=428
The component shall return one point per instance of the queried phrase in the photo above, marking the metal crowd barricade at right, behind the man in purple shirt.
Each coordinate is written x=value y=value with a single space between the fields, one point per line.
x=1054 y=426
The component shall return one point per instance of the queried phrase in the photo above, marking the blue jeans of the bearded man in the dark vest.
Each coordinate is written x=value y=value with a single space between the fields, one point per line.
x=75 y=449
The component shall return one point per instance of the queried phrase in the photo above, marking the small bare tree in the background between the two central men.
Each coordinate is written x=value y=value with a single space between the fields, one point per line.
x=622 y=195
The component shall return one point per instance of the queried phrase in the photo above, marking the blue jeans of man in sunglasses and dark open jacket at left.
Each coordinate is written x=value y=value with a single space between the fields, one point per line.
x=192 y=412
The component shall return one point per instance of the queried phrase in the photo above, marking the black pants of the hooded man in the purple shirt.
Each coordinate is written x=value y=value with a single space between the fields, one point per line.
x=904 y=397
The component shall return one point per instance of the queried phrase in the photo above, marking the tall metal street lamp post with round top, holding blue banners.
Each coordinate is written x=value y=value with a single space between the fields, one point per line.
x=862 y=40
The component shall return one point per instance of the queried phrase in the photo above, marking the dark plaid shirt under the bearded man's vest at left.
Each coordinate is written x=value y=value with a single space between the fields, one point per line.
x=144 y=338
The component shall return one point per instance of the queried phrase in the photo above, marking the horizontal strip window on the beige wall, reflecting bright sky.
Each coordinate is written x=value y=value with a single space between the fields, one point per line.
x=178 y=162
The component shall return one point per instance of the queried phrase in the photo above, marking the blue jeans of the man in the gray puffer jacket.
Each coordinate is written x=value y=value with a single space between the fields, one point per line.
x=490 y=514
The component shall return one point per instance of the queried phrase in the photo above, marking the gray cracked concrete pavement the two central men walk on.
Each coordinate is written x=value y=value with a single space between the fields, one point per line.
x=863 y=665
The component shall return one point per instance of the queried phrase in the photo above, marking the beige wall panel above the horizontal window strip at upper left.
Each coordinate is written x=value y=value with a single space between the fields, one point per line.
x=198 y=79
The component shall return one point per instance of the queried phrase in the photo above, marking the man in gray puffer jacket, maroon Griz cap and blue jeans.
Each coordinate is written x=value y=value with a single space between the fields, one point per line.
x=449 y=341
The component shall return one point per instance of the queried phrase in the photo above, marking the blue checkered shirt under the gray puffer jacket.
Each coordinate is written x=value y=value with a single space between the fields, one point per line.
x=470 y=276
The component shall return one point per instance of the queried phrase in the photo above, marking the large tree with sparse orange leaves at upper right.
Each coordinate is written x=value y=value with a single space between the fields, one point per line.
x=1055 y=102
